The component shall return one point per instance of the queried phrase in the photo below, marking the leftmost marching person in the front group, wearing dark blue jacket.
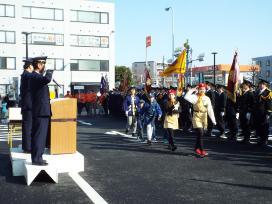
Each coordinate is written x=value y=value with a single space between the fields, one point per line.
x=130 y=105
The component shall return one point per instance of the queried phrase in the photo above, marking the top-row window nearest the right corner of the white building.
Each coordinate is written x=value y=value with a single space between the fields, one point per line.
x=89 y=17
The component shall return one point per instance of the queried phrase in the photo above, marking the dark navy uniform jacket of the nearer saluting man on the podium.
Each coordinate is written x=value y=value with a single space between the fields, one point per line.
x=40 y=94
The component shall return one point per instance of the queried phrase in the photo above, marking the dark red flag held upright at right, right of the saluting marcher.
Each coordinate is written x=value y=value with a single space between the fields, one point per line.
x=233 y=79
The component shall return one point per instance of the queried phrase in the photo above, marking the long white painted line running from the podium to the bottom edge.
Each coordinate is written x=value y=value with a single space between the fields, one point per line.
x=87 y=189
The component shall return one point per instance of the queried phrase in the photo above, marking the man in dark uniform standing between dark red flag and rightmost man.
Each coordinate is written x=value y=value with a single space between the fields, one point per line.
x=246 y=105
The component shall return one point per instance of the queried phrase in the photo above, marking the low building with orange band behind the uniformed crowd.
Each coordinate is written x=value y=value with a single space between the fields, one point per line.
x=205 y=73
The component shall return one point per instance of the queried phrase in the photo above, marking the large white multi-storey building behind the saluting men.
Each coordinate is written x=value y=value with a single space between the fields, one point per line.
x=76 y=35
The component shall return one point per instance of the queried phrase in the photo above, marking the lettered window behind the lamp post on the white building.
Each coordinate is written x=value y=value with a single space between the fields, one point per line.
x=45 y=39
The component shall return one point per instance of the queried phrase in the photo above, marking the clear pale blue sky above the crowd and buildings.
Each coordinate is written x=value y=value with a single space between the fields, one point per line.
x=221 y=26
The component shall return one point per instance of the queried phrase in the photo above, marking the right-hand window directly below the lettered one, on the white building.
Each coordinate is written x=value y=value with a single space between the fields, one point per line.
x=89 y=65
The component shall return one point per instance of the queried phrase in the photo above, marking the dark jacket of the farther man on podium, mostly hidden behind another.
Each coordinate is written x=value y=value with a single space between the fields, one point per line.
x=25 y=91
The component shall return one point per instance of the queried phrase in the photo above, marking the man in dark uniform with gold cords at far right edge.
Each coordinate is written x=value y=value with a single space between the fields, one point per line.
x=262 y=111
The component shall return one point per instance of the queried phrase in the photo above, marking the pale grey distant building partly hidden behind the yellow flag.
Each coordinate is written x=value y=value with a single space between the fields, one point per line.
x=155 y=68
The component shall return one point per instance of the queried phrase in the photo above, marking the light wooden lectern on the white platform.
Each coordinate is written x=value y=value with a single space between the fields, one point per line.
x=63 y=126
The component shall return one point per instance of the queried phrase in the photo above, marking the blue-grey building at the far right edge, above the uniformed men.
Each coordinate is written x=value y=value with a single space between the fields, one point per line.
x=265 y=64
